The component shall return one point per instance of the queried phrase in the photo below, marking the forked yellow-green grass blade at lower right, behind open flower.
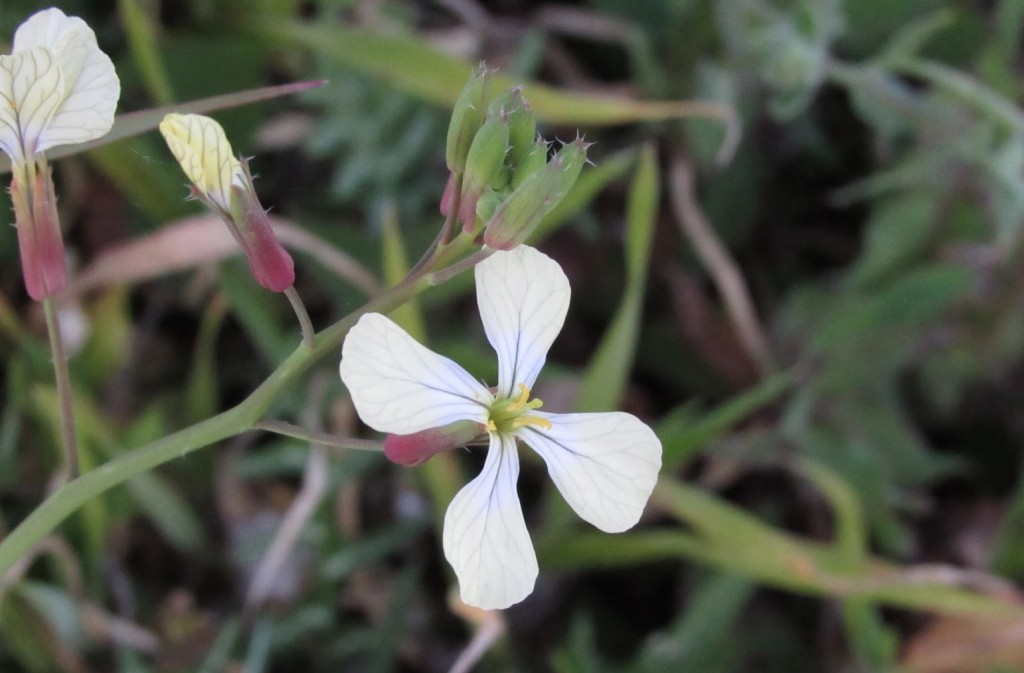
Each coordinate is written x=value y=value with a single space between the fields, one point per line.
x=730 y=539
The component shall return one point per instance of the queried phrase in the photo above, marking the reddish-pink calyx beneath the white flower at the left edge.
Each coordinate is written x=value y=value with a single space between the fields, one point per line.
x=40 y=244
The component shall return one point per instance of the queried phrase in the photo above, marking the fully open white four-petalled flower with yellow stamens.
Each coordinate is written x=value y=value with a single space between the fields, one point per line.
x=606 y=466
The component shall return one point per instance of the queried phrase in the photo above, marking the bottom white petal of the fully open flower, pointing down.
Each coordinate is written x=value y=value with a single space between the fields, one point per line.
x=486 y=538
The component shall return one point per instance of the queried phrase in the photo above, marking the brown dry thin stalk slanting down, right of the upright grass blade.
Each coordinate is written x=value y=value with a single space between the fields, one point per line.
x=716 y=259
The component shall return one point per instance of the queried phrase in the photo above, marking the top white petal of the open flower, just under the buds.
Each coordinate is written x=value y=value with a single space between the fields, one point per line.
x=524 y=297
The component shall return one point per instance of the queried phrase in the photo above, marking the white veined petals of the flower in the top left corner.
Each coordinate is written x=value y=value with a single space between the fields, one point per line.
x=57 y=88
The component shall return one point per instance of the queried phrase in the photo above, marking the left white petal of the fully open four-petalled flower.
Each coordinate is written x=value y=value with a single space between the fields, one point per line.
x=400 y=387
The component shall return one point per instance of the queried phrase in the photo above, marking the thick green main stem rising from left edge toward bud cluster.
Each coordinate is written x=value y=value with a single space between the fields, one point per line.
x=66 y=500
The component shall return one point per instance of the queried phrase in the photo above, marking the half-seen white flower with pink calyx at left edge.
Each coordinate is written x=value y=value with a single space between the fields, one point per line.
x=57 y=88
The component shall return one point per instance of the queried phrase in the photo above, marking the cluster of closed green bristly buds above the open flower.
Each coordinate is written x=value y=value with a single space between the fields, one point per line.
x=505 y=181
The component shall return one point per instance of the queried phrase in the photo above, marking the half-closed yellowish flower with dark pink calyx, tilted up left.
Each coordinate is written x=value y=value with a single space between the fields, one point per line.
x=224 y=184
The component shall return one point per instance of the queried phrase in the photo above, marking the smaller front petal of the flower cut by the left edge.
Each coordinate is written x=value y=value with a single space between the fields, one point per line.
x=31 y=92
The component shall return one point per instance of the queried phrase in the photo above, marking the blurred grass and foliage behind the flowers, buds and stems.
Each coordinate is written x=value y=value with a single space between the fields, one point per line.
x=825 y=323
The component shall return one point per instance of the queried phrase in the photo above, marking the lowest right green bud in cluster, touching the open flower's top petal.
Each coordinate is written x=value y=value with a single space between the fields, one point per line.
x=535 y=198
